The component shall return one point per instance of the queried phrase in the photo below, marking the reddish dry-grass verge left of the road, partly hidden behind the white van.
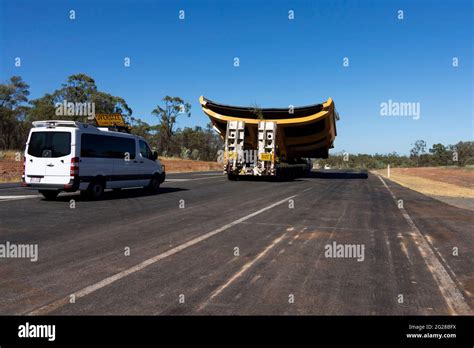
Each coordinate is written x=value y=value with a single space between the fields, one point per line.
x=11 y=169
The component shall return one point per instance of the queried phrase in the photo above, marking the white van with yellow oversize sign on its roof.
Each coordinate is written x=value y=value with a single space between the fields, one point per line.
x=70 y=156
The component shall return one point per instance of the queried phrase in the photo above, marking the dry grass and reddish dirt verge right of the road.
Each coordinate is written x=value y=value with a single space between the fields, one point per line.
x=442 y=181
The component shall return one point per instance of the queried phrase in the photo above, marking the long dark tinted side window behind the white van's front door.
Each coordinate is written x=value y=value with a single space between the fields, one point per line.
x=106 y=146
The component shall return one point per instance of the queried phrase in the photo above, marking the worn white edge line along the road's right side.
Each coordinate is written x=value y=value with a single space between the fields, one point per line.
x=447 y=286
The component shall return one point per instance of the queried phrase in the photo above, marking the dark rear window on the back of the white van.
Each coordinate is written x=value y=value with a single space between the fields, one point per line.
x=49 y=144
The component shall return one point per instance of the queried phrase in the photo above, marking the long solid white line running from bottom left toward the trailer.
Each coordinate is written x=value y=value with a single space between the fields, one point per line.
x=107 y=281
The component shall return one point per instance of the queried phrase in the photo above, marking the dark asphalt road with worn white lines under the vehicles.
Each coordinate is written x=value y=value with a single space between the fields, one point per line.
x=206 y=245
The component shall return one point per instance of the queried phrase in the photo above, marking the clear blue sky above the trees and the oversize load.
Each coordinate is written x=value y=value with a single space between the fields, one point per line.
x=282 y=61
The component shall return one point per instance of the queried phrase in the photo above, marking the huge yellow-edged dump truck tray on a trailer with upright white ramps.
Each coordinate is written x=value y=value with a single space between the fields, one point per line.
x=272 y=142
